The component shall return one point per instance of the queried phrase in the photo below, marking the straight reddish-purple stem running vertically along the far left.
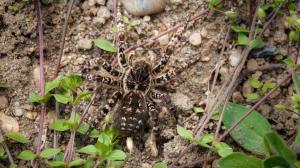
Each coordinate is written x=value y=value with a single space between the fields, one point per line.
x=42 y=77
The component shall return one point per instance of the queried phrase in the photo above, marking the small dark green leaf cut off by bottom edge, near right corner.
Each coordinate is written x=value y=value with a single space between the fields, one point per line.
x=276 y=162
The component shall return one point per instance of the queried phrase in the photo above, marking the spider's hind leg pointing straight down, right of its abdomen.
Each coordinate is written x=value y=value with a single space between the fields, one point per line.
x=153 y=114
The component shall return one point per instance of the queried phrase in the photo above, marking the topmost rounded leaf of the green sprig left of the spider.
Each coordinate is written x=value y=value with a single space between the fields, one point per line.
x=71 y=82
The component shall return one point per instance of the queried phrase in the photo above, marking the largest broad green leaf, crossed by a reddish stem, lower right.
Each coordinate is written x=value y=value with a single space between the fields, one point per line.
x=251 y=131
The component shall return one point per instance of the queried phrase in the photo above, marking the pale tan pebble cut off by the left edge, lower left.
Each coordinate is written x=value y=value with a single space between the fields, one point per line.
x=8 y=124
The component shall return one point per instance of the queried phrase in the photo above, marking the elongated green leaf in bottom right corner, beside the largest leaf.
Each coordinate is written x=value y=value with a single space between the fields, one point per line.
x=275 y=145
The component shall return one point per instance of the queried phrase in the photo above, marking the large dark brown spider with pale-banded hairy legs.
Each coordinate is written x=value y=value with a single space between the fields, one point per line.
x=136 y=81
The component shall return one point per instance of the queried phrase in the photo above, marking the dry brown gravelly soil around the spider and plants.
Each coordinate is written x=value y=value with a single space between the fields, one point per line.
x=19 y=65
